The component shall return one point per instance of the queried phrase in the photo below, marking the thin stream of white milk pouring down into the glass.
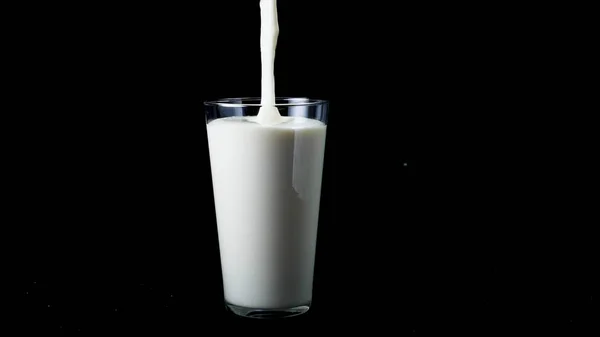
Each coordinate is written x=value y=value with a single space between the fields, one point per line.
x=269 y=32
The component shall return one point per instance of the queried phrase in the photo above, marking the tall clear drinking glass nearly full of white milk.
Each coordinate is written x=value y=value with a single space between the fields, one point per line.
x=267 y=189
